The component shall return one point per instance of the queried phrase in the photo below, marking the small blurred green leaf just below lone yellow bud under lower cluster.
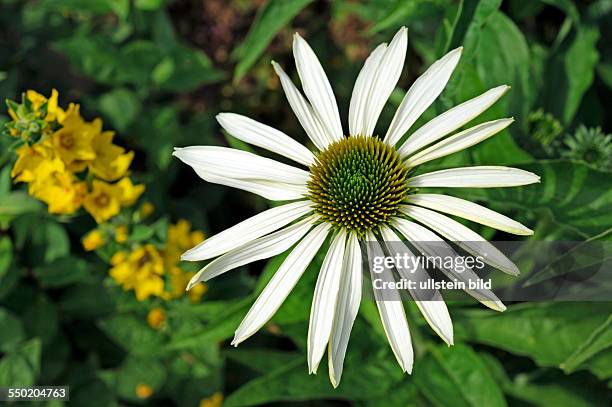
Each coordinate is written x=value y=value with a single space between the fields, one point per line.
x=132 y=334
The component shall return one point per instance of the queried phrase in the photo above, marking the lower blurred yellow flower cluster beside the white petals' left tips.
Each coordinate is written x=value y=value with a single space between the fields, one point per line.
x=150 y=271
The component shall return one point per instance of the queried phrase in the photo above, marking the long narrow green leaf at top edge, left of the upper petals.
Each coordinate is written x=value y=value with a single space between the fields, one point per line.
x=273 y=16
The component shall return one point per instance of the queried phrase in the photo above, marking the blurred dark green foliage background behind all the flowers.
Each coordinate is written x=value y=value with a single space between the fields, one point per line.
x=158 y=71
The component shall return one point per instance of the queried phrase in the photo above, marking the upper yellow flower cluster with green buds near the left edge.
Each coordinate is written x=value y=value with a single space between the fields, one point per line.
x=71 y=162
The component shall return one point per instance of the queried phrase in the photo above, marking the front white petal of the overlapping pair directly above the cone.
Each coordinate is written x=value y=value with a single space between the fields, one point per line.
x=385 y=79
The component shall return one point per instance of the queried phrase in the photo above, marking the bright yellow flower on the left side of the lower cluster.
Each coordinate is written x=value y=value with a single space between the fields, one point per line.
x=140 y=271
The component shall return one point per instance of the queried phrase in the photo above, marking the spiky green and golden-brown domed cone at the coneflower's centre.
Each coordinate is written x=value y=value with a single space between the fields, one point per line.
x=358 y=183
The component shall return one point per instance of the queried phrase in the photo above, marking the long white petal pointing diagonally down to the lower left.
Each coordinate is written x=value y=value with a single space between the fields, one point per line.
x=281 y=284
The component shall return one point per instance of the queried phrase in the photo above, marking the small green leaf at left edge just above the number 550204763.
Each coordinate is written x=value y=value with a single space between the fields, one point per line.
x=20 y=367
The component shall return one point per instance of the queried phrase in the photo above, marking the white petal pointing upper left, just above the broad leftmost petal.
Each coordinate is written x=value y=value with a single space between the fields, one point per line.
x=261 y=135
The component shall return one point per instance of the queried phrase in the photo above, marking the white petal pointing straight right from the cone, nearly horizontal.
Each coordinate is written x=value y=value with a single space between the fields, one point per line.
x=475 y=177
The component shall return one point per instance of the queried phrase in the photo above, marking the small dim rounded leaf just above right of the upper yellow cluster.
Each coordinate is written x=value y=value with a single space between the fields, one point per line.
x=121 y=106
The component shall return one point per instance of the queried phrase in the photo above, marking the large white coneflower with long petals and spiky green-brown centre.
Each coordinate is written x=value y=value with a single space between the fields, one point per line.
x=352 y=189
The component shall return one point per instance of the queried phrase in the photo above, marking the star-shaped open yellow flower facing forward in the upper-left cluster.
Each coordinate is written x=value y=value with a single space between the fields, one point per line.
x=73 y=142
